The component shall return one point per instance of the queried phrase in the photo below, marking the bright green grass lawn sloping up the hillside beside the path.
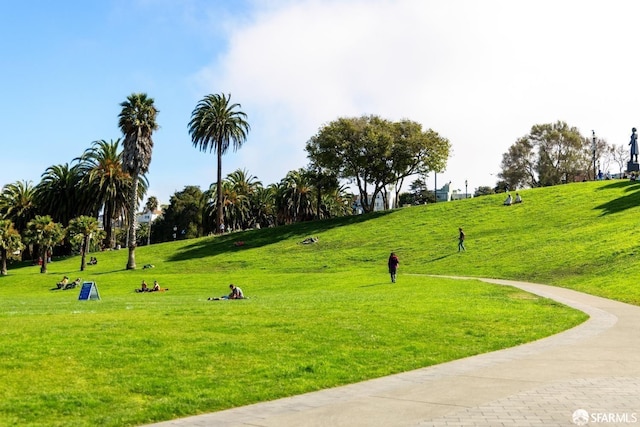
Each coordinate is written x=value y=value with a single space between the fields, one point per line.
x=318 y=315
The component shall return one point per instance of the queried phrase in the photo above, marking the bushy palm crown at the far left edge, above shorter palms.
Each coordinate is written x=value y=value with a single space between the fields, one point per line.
x=18 y=203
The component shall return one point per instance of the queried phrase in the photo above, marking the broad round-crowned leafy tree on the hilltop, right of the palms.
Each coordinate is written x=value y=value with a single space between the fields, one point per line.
x=376 y=153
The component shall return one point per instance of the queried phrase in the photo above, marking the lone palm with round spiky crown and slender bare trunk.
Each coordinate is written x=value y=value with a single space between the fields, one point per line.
x=215 y=123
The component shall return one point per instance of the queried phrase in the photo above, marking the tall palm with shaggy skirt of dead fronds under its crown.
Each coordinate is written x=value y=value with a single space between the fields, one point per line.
x=137 y=121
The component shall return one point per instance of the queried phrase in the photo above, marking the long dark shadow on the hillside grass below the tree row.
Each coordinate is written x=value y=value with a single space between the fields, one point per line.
x=259 y=238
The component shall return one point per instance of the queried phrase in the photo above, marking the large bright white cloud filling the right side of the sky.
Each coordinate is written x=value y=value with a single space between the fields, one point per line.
x=479 y=73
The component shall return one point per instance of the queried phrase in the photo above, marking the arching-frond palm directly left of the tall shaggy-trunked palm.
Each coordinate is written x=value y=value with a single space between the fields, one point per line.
x=105 y=183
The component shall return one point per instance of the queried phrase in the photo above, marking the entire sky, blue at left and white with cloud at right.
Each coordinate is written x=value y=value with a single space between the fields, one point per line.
x=479 y=73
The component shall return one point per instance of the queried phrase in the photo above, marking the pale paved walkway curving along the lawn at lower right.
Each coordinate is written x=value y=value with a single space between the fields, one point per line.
x=588 y=375
